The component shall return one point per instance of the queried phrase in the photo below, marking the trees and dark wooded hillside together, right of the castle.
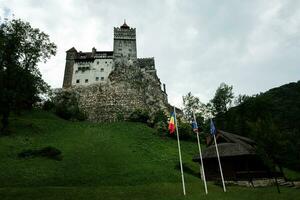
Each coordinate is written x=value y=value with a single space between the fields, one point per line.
x=270 y=118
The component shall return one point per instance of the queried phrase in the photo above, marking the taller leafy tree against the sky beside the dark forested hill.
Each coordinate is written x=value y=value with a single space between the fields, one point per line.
x=222 y=99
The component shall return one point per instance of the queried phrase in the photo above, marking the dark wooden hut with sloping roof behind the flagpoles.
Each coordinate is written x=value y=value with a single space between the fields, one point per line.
x=238 y=158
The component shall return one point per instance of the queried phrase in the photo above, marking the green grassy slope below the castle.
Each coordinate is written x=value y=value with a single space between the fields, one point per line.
x=104 y=161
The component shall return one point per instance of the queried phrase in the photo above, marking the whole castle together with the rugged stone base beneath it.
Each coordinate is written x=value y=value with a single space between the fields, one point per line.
x=114 y=83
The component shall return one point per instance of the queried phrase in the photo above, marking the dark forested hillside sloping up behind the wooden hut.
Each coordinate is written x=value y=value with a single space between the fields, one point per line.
x=273 y=115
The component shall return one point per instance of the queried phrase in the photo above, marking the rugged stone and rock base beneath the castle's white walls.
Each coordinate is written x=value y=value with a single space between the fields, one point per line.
x=128 y=88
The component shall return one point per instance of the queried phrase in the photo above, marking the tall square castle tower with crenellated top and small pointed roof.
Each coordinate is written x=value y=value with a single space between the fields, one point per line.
x=125 y=42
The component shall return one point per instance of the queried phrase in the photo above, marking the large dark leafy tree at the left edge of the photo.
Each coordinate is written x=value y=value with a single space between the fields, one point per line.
x=21 y=49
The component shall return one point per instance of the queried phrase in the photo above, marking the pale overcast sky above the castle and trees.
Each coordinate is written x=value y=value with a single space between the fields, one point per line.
x=253 y=45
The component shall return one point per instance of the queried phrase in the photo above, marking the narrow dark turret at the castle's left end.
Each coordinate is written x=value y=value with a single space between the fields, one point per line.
x=70 y=60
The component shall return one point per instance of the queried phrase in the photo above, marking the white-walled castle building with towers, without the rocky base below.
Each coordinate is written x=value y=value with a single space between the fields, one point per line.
x=85 y=68
